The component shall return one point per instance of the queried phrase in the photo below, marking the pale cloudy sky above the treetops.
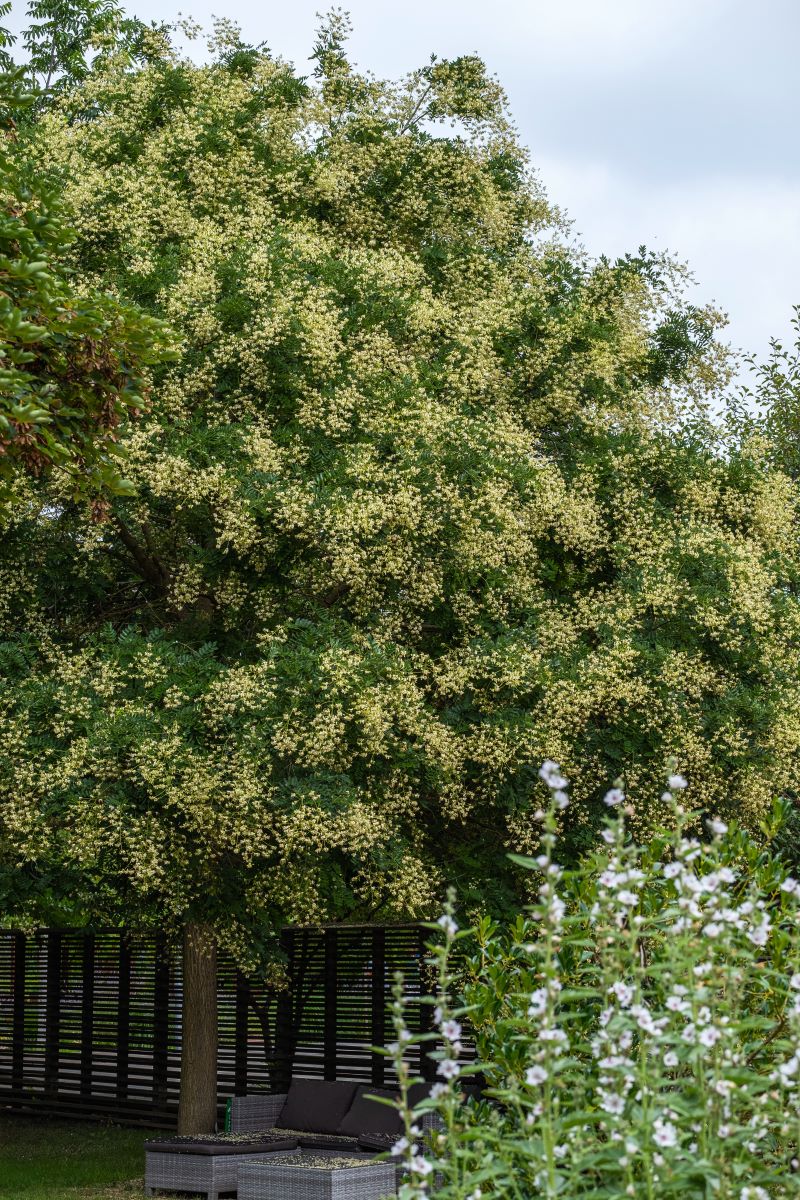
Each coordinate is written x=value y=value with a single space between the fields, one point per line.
x=671 y=123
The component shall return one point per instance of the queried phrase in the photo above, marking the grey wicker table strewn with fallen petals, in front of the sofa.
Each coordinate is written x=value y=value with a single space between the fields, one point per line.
x=312 y=1178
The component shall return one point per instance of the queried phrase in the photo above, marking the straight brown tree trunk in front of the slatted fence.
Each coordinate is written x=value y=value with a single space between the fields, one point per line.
x=197 y=1111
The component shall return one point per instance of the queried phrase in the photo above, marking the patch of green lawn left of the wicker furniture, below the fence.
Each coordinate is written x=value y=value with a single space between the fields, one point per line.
x=70 y=1161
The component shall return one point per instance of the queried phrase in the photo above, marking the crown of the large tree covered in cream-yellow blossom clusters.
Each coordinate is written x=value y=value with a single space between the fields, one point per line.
x=420 y=503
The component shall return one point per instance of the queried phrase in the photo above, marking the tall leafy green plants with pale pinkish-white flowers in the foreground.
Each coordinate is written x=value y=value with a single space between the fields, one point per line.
x=637 y=1034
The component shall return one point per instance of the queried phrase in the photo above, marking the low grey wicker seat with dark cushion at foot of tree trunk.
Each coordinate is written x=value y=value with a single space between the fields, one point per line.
x=208 y=1166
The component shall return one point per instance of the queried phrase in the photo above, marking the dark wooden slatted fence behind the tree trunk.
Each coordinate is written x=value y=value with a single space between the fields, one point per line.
x=91 y=1022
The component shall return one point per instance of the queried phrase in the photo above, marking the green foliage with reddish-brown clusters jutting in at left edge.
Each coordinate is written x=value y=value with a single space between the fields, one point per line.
x=74 y=363
